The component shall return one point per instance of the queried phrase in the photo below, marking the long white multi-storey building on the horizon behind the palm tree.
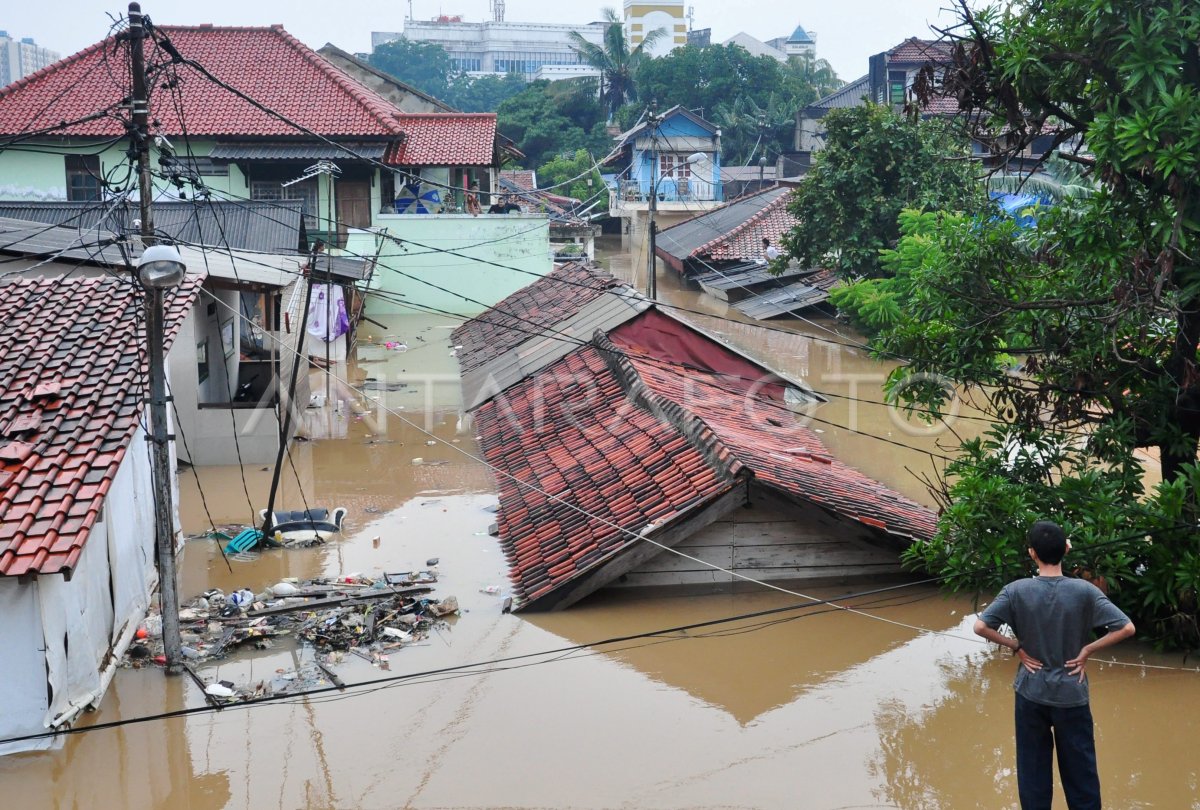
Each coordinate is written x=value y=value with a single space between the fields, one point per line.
x=497 y=47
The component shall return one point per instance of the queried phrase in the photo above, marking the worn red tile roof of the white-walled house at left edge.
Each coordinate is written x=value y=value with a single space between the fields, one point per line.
x=71 y=397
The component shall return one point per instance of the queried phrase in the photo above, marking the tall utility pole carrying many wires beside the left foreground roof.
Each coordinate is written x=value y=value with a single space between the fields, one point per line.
x=160 y=455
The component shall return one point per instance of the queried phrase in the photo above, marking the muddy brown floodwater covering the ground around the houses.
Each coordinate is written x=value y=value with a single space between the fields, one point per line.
x=813 y=709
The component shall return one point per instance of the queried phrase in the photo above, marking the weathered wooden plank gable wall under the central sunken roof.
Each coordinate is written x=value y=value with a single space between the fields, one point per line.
x=776 y=541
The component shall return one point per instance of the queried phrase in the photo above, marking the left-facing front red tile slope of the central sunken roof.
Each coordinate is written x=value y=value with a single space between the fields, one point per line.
x=574 y=434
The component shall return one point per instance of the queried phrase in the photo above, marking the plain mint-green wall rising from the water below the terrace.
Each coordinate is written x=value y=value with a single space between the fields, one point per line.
x=455 y=262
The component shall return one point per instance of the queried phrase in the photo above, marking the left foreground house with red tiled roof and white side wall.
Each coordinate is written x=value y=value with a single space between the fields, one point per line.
x=77 y=512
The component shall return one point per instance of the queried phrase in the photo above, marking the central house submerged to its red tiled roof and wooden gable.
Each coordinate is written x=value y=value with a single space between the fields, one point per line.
x=621 y=433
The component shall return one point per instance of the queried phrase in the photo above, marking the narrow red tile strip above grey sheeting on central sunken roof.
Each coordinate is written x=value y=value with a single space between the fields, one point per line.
x=527 y=313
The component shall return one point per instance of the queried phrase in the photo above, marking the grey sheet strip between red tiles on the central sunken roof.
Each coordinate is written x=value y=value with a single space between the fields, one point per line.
x=604 y=313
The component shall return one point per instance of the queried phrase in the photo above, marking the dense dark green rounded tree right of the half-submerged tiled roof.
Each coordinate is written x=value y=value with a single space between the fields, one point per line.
x=874 y=165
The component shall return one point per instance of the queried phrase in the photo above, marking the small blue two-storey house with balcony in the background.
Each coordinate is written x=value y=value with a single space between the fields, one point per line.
x=679 y=160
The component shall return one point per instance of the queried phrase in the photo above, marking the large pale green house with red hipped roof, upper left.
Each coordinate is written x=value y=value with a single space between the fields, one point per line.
x=271 y=121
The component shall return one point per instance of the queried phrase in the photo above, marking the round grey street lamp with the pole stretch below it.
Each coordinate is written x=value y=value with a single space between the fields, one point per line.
x=161 y=269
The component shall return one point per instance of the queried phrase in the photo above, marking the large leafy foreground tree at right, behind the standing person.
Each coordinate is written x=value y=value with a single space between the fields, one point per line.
x=1100 y=303
